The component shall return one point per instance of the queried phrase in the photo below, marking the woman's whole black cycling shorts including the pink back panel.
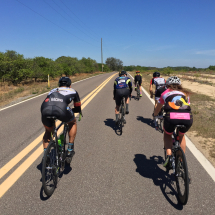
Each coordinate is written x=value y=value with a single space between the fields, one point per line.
x=172 y=119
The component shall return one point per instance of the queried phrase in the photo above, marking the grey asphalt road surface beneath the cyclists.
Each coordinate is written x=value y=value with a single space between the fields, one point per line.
x=109 y=174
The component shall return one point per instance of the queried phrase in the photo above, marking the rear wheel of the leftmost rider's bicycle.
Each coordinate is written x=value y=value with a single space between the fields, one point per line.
x=49 y=169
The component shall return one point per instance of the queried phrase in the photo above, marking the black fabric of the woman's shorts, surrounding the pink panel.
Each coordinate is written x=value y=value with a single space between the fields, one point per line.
x=169 y=124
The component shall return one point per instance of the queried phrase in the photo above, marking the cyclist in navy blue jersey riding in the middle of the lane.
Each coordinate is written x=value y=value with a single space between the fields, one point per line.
x=122 y=88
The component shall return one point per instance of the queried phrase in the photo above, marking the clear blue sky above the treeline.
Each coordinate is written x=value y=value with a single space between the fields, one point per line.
x=139 y=32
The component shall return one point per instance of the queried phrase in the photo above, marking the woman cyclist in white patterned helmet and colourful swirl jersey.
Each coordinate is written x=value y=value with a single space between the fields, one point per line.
x=176 y=103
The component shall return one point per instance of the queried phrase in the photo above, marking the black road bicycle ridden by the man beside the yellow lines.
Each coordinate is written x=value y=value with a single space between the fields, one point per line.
x=55 y=158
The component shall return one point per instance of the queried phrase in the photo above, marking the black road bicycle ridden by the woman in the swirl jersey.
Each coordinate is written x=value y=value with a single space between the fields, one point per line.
x=178 y=165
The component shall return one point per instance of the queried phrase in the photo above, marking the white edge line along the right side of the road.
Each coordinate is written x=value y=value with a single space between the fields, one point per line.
x=199 y=156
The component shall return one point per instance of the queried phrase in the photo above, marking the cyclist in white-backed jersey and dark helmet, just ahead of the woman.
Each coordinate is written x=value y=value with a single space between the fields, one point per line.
x=160 y=86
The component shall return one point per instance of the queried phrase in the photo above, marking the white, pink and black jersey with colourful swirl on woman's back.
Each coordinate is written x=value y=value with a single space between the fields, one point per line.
x=174 y=100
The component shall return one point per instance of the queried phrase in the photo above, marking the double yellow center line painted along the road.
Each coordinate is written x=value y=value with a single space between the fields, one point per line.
x=5 y=186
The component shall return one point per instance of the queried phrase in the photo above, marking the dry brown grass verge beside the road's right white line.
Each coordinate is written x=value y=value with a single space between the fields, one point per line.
x=203 y=115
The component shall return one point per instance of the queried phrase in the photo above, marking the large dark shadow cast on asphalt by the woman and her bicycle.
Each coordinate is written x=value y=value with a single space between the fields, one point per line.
x=149 y=168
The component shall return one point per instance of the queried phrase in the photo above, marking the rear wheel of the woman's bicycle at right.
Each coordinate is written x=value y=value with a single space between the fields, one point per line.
x=181 y=176
